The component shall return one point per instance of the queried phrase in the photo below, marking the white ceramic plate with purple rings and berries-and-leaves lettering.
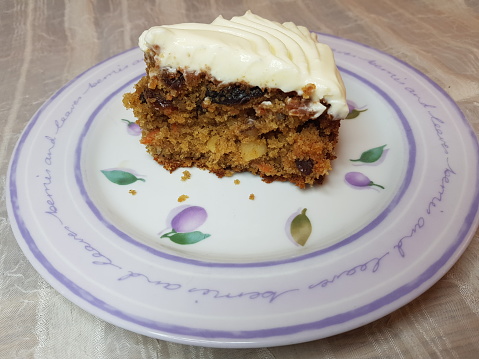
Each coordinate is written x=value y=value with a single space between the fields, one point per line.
x=102 y=222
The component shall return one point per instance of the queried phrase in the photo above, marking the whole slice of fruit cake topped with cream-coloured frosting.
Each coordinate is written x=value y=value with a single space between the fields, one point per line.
x=238 y=95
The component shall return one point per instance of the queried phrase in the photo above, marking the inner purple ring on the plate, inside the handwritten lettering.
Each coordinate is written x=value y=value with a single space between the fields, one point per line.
x=370 y=226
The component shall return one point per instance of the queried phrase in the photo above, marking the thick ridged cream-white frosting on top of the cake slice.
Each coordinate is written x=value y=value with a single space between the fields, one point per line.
x=257 y=51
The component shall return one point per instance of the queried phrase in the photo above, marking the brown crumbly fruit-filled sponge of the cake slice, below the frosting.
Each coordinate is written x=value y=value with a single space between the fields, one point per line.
x=191 y=119
